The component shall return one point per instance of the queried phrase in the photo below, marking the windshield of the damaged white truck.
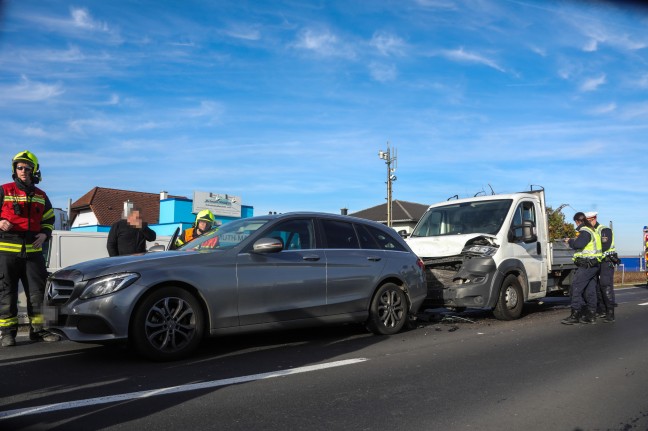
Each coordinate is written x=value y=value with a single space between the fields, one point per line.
x=464 y=218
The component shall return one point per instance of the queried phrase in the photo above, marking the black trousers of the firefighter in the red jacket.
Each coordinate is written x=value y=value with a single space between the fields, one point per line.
x=32 y=272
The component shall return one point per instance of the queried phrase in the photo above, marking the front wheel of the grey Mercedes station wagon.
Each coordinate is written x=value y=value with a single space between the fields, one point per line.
x=167 y=325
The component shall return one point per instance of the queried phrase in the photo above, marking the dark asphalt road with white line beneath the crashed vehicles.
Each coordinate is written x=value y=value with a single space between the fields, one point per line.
x=453 y=372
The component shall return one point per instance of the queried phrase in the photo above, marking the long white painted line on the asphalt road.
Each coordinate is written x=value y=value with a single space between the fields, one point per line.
x=171 y=390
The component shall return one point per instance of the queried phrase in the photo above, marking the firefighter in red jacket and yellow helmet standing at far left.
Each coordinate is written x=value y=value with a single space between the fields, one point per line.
x=26 y=222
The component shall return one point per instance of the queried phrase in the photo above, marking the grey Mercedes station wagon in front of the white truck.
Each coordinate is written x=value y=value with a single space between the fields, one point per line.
x=268 y=272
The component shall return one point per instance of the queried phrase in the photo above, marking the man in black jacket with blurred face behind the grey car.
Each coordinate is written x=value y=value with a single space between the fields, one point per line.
x=129 y=236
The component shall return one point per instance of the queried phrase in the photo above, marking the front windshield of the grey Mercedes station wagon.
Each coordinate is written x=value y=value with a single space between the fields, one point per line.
x=227 y=236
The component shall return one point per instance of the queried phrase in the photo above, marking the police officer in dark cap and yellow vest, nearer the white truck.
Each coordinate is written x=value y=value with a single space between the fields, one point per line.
x=587 y=258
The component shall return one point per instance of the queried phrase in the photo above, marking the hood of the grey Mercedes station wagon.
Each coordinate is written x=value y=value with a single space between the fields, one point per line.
x=134 y=262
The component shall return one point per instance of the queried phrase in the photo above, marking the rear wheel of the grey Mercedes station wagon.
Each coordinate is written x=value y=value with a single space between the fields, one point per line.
x=388 y=310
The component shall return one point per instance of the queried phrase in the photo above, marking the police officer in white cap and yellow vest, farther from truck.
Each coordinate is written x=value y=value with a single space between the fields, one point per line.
x=605 y=288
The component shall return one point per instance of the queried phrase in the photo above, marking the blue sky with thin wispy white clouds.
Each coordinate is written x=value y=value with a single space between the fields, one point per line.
x=287 y=103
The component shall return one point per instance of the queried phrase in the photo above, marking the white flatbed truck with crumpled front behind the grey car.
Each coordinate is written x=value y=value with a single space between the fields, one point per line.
x=490 y=252
